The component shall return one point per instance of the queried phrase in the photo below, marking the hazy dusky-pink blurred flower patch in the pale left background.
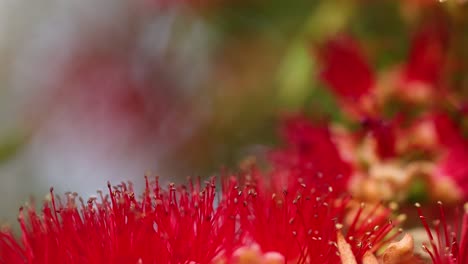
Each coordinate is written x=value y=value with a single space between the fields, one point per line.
x=107 y=90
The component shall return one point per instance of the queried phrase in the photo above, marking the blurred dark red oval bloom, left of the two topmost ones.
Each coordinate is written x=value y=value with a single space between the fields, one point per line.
x=346 y=69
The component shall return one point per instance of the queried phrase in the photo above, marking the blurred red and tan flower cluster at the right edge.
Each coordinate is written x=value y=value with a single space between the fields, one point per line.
x=405 y=123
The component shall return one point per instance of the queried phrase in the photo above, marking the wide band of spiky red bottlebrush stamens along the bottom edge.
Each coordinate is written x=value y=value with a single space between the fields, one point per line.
x=255 y=218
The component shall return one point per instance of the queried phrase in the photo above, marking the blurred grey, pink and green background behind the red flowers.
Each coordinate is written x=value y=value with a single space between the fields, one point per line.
x=105 y=90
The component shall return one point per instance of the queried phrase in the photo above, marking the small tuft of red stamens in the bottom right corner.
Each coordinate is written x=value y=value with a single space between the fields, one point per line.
x=448 y=244
